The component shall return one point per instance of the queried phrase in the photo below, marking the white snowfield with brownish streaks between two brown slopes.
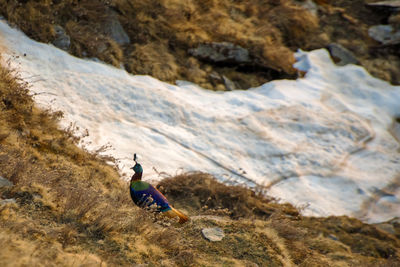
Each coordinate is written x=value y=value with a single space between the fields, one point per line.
x=327 y=142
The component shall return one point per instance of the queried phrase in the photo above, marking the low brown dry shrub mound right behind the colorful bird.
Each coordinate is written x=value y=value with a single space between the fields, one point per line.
x=206 y=193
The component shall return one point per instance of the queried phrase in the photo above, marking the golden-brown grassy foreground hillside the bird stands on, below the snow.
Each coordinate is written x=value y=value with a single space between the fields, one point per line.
x=67 y=207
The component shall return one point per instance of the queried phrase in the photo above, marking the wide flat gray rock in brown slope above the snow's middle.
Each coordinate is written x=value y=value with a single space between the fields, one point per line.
x=221 y=53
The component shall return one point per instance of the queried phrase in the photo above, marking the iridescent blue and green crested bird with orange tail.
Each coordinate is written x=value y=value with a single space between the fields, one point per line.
x=147 y=196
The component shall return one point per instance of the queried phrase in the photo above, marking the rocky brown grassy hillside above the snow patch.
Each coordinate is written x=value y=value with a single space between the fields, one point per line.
x=217 y=44
